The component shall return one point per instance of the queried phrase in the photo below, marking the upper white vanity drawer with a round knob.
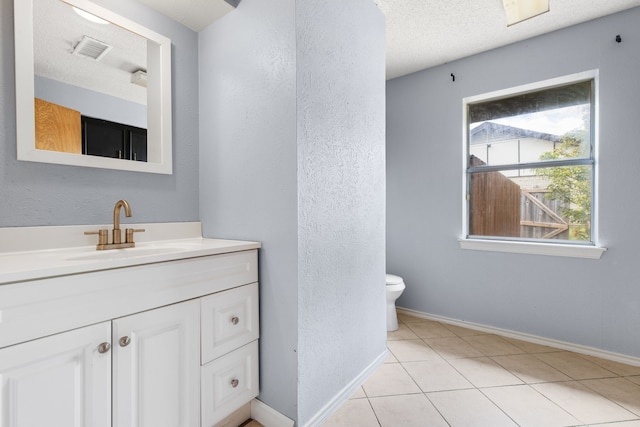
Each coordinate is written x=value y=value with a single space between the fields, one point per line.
x=229 y=320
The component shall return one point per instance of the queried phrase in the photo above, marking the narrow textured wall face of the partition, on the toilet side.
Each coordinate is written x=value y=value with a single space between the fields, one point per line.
x=341 y=196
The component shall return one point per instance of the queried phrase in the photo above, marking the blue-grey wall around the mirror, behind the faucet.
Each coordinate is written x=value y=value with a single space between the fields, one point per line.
x=42 y=194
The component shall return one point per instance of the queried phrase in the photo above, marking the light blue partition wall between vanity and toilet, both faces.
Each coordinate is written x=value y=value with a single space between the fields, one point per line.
x=292 y=155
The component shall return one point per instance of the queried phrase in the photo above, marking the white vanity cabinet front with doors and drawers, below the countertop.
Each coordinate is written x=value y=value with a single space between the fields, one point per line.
x=134 y=346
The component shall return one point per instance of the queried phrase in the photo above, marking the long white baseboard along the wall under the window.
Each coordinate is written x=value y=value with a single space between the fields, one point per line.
x=591 y=351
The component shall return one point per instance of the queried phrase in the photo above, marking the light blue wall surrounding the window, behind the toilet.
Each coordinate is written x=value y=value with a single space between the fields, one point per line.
x=589 y=302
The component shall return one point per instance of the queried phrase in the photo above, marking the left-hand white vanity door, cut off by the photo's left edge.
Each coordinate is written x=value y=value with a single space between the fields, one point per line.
x=61 y=380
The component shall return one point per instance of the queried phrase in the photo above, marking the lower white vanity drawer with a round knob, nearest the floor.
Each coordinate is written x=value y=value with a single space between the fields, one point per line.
x=228 y=383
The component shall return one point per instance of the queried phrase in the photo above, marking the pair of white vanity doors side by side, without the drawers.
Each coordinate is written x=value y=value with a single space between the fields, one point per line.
x=147 y=364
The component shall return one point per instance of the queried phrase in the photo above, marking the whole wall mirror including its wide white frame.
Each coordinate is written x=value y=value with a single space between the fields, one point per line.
x=92 y=88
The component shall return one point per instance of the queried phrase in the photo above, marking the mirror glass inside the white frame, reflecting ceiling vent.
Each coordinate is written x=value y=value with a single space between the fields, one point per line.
x=90 y=84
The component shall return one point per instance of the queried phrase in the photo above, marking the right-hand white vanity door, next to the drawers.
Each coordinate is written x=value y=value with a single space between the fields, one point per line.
x=156 y=367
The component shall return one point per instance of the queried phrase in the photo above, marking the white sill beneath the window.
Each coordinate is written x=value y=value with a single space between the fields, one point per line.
x=550 y=249
